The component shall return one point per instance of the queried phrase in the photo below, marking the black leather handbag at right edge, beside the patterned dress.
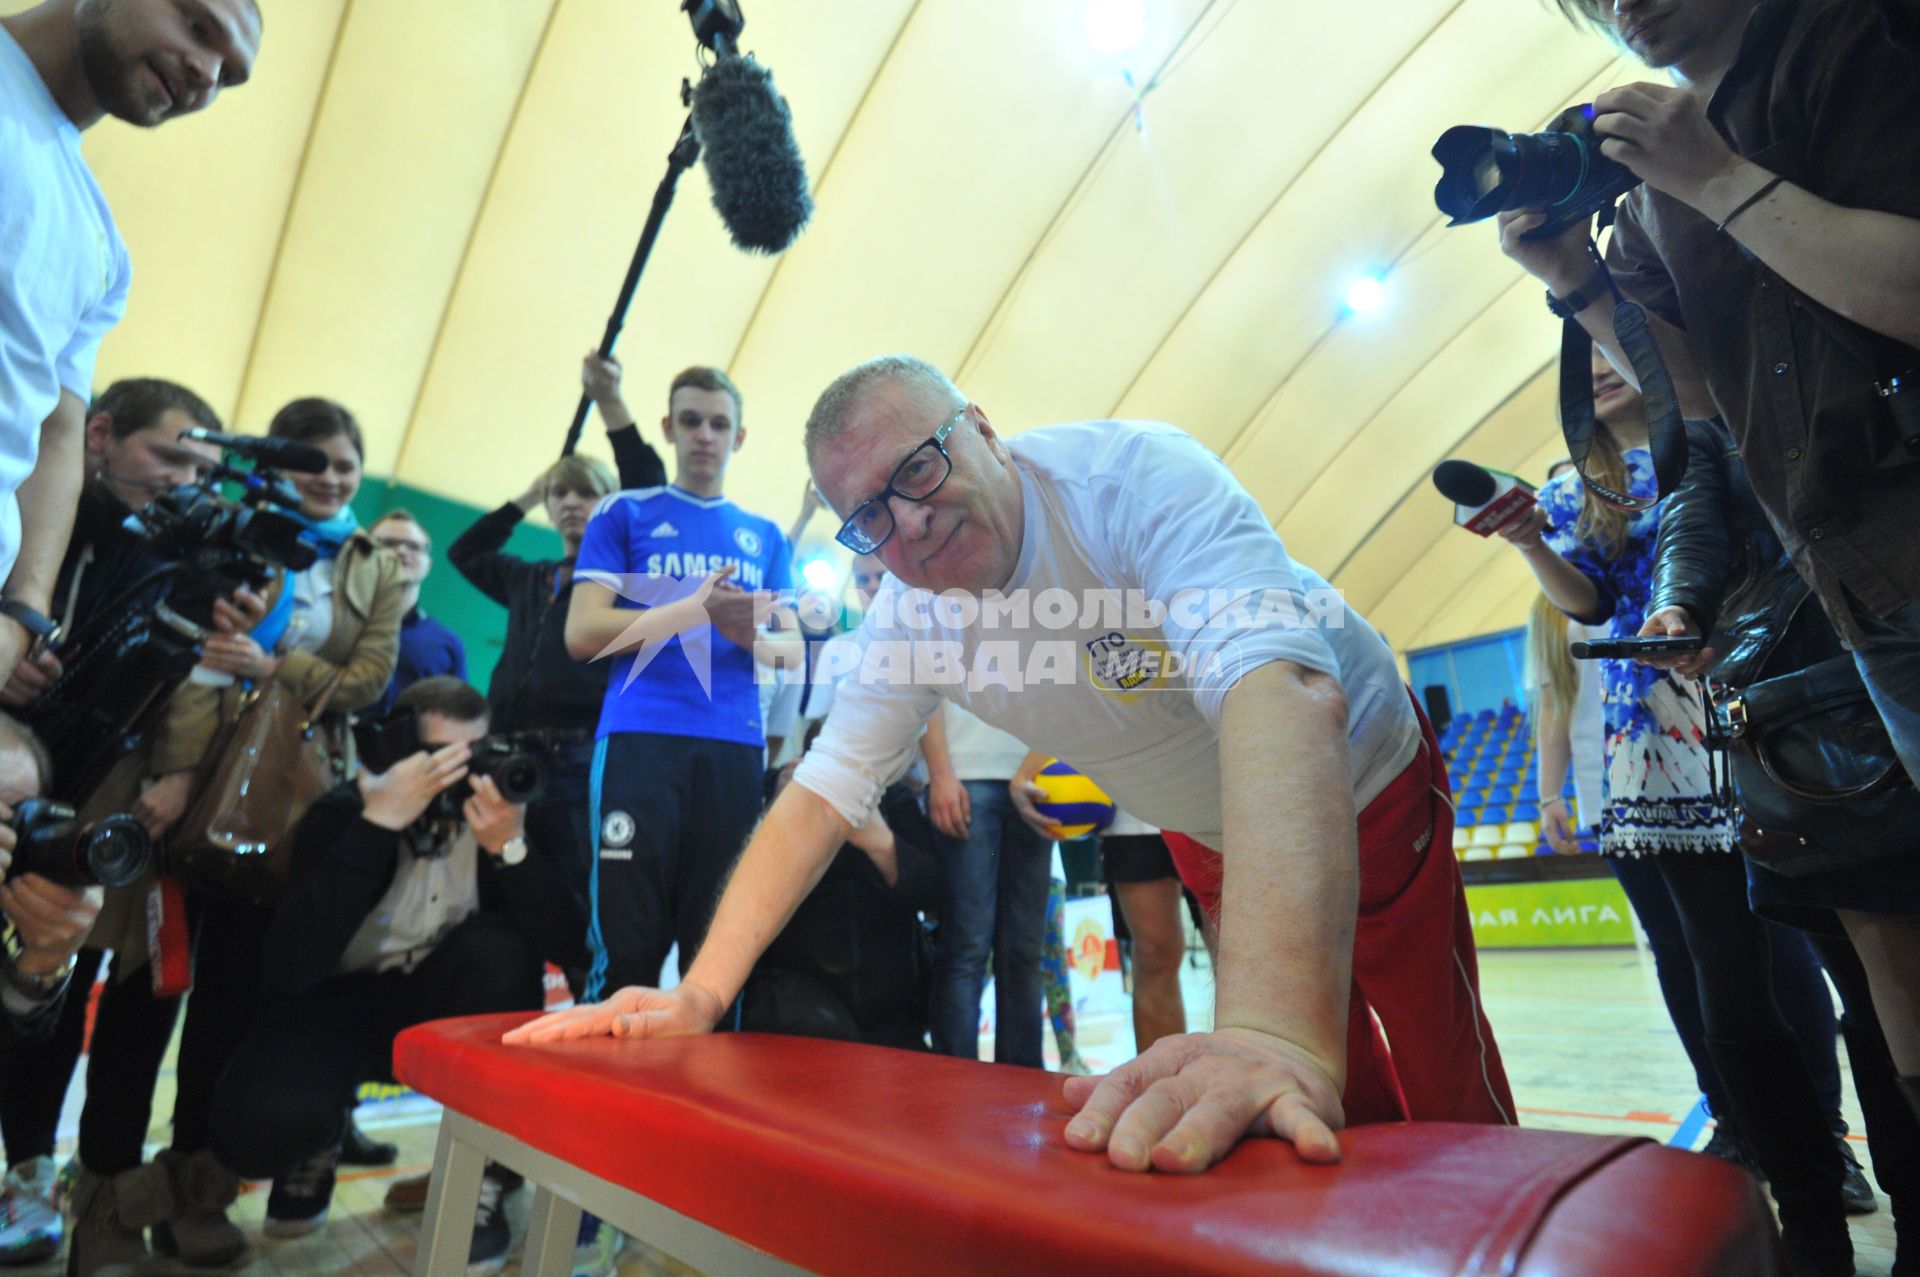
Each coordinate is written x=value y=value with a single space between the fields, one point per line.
x=1813 y=771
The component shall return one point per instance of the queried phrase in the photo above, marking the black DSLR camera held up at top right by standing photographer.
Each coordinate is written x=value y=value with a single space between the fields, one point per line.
x=1558 y=170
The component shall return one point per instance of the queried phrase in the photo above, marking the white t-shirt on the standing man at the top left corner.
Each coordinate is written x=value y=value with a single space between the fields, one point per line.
x=64 y=274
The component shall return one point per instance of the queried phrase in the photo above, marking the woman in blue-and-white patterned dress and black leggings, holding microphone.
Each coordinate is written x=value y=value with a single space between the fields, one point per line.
x=1595 y=562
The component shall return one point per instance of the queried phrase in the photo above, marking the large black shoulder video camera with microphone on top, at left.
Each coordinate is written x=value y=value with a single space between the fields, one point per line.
x=126 y=658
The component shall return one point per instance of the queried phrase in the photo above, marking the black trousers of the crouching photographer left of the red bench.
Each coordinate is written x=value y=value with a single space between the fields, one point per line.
x=291 y=1084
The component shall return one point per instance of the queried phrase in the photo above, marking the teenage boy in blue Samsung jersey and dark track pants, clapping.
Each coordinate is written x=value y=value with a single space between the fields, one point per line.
x=671 y=587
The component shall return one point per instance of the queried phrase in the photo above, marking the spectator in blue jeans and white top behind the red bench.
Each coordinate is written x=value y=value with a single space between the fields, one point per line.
x=997 y=877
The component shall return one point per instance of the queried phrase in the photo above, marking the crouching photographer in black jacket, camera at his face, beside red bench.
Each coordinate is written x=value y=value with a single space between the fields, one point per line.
x=398 y=913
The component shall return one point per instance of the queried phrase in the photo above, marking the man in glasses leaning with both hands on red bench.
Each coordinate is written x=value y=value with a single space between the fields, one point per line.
x=1111 y=594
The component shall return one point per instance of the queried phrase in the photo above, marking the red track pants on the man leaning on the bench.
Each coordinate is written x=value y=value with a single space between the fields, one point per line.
x=1416 y=975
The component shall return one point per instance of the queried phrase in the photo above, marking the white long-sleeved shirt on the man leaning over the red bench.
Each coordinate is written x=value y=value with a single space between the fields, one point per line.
x=1076 y=662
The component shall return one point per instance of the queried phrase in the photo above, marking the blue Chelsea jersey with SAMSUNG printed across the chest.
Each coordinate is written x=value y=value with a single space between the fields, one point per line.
x=654 y=546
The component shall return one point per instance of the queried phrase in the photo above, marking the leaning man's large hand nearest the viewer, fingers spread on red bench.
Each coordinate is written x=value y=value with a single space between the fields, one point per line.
x=1188 y=1101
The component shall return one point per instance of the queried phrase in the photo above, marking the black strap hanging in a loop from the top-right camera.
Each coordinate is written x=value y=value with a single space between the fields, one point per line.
x=1666 y=427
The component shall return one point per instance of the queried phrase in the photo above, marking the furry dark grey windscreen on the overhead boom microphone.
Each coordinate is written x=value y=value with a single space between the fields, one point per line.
x=754 y=164
